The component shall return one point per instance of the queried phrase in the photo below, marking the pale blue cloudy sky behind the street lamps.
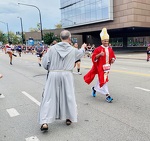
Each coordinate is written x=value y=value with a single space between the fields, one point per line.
x=10 y=10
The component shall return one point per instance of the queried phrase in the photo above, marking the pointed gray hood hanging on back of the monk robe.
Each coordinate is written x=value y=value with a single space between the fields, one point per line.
x=63 y=48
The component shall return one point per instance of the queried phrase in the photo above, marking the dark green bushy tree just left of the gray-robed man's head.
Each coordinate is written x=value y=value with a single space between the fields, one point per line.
x=50 y=37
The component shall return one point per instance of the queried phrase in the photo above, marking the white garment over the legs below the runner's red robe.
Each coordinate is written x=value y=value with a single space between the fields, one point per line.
x=103 y=90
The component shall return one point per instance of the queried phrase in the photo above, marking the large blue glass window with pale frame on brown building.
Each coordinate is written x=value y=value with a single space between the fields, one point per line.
x=92 y=10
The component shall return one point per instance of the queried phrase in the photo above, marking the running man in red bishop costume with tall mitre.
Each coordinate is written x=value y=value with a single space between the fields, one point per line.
x=102 y=58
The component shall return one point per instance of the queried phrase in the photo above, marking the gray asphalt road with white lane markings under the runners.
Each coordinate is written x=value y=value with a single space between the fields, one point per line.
x=126 y=119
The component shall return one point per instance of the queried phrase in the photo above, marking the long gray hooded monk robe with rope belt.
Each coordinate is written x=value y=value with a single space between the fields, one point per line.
x=59 y=95
